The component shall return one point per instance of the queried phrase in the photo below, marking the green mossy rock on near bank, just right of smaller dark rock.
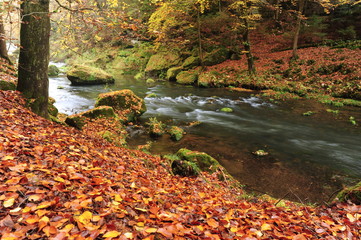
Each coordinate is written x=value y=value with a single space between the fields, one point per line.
x=204 y=161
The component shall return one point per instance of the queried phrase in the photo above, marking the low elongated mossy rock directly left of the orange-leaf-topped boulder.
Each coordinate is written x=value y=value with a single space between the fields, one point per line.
x=80 y=119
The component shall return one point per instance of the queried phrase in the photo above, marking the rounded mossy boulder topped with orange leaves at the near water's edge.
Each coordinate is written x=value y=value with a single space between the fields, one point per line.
x=129 y=105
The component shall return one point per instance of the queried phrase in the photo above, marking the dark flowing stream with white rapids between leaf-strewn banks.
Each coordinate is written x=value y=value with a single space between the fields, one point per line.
x=309 y=157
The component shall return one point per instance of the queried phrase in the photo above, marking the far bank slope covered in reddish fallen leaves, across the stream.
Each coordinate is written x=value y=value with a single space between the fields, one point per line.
x=330 y=75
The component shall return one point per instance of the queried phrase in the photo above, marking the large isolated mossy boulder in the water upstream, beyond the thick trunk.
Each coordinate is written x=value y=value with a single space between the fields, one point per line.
x=86 y=75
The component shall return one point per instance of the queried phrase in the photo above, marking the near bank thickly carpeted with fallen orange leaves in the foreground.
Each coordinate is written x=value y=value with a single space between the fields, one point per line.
x=59 y=183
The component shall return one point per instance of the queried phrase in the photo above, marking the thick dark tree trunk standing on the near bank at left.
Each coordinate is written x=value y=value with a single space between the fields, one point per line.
x=34 y=54
